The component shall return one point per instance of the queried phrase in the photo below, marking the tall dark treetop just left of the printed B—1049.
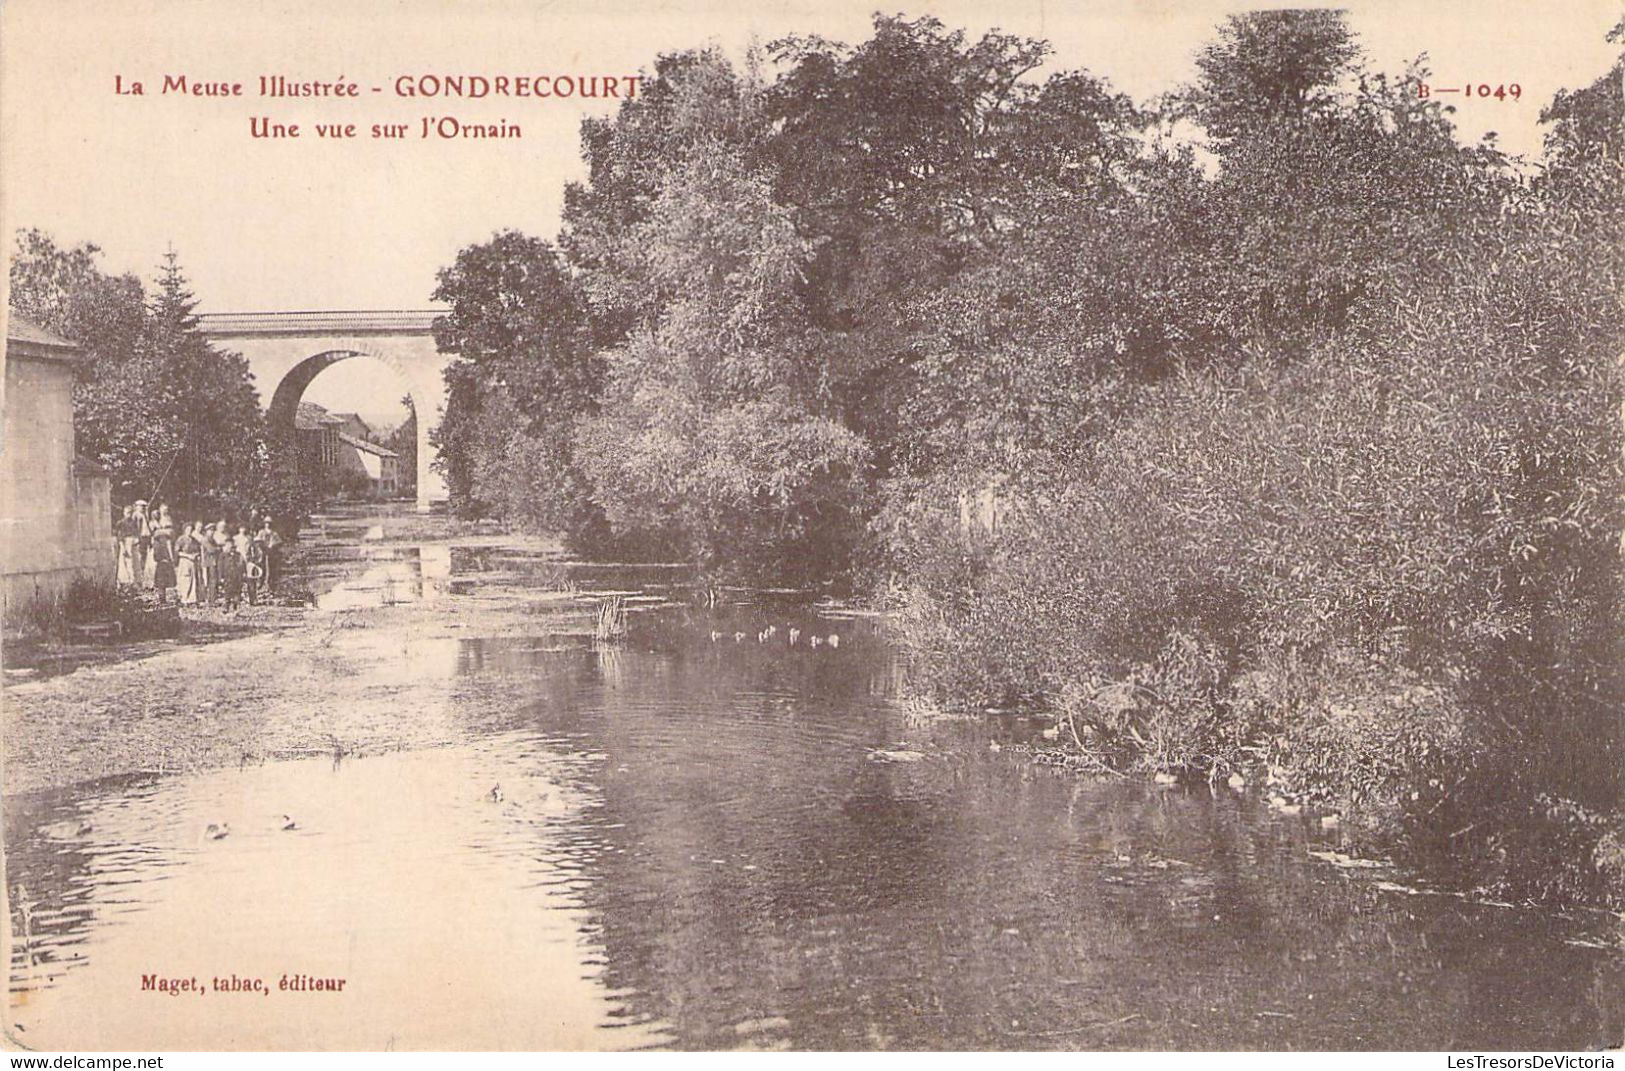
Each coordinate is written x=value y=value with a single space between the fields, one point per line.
x=1337 y=188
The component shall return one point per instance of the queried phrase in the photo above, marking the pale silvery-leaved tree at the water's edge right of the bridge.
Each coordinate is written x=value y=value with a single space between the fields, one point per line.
x=713 y=430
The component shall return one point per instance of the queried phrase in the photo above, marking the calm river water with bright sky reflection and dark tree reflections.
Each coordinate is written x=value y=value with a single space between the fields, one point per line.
x=708 y=838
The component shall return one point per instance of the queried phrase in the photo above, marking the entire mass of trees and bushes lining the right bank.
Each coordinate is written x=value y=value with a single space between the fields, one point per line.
x=1265 y=428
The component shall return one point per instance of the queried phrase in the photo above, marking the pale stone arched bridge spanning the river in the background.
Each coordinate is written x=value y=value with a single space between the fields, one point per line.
x=288 y=350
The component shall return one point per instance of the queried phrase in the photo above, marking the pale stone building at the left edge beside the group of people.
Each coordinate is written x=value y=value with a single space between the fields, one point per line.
x=56 y=511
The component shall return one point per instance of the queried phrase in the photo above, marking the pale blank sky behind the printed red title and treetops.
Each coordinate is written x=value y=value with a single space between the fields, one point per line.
x=316 y=223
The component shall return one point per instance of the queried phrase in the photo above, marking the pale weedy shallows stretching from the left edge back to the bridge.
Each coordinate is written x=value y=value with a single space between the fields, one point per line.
x=326 y=670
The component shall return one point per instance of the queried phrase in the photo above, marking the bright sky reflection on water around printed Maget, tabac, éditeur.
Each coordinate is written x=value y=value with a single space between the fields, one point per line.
x=454 y=919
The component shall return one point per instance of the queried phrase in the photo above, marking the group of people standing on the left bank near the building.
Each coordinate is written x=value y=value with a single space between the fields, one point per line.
x=206 y=565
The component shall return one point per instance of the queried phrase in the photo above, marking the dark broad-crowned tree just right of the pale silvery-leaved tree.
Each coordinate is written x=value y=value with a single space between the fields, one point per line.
x=916 y=158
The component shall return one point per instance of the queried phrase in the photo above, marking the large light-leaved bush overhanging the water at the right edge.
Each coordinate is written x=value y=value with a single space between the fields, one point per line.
x=1390 y=568
